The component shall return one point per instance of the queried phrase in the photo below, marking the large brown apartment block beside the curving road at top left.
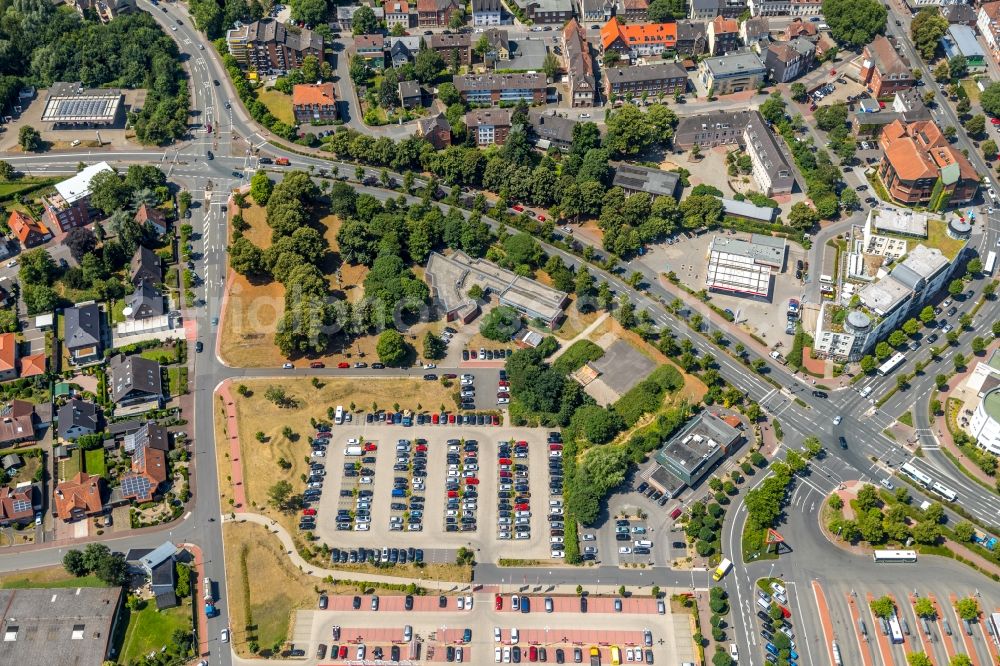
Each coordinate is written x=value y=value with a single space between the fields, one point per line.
x=268 y=45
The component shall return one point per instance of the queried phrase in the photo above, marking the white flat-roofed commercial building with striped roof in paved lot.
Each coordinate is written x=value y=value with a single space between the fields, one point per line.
x=744 y=267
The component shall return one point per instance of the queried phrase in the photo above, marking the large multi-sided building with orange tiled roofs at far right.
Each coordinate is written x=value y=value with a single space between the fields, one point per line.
x=918 y=160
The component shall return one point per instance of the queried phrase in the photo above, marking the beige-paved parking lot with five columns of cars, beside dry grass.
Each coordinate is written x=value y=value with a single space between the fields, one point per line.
x=458 y=504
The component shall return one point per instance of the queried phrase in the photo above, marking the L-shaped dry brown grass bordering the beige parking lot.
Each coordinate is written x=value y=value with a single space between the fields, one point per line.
x=255 y=413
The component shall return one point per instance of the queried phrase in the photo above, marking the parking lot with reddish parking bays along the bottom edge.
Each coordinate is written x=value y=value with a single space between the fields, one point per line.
x=484 y=627
